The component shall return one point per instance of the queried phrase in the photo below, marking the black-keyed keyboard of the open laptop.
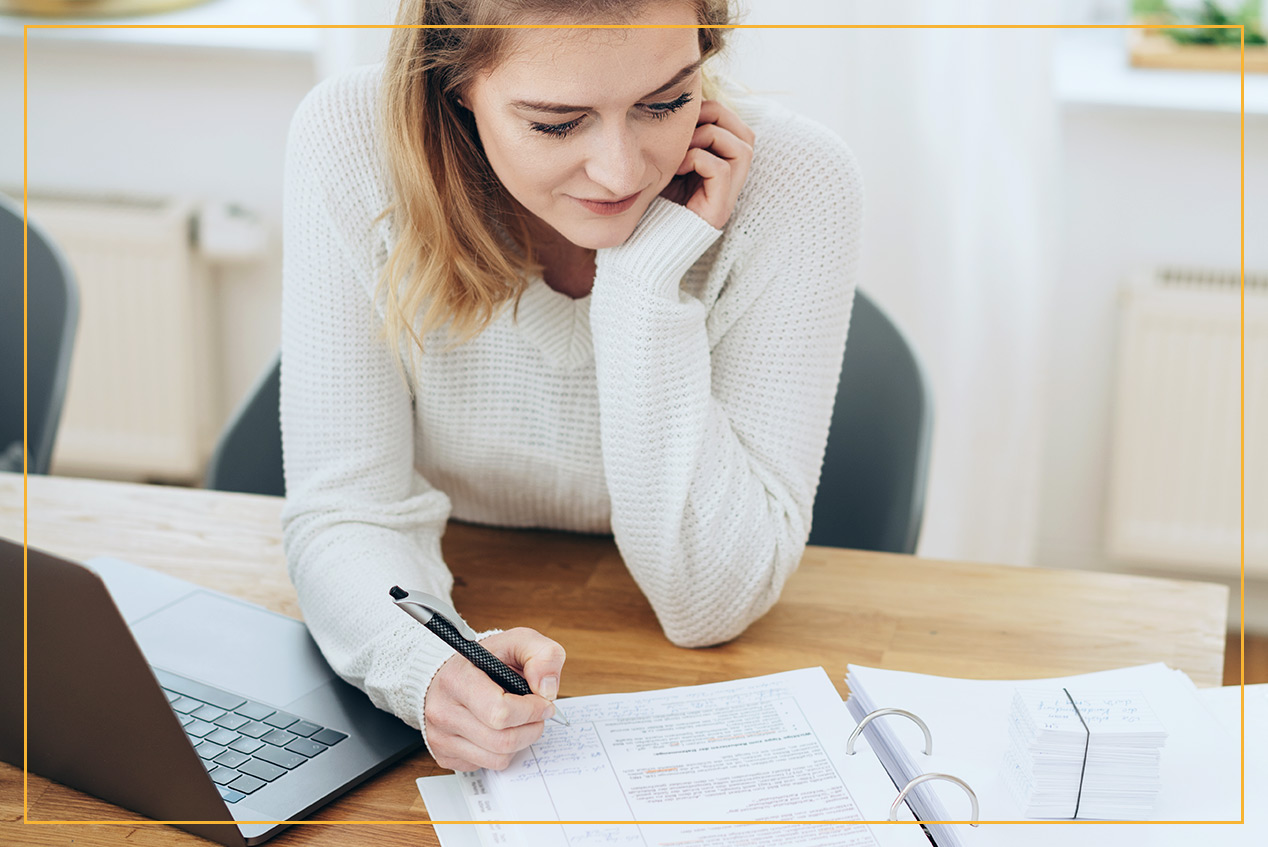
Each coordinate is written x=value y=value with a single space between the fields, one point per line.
x=244 y=745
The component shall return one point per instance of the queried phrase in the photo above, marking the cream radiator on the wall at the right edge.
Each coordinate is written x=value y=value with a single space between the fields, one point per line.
x=1176 y=472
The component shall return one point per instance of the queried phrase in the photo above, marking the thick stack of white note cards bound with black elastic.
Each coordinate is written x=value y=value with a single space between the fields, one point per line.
x=1085 y=755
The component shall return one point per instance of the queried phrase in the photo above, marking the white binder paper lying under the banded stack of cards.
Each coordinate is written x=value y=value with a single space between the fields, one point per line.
x=969 y=722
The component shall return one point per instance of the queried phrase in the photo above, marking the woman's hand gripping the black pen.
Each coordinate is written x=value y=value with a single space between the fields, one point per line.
x=472 y=723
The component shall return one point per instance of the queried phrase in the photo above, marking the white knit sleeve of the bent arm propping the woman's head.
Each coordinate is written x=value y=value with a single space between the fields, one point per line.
x=715 y=422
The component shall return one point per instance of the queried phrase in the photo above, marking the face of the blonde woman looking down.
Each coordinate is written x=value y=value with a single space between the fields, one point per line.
x=585 y=127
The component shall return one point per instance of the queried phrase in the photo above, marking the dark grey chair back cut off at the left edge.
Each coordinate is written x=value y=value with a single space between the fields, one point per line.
x=53 y=315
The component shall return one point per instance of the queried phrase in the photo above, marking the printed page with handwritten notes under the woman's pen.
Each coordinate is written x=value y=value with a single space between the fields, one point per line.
x=769 y=749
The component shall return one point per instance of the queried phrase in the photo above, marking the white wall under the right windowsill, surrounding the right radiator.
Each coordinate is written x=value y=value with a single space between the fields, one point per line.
x=1143 y=187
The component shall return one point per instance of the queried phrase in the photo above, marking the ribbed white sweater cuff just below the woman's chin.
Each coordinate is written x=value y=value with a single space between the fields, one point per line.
x=666 y=243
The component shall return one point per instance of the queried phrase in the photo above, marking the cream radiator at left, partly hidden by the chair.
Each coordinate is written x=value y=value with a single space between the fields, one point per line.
x=141 y=396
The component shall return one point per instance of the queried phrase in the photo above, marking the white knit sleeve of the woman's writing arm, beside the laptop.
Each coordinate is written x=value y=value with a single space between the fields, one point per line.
x=358 y=518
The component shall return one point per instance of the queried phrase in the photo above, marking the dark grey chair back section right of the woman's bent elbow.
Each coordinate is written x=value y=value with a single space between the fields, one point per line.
x=872 y=490
